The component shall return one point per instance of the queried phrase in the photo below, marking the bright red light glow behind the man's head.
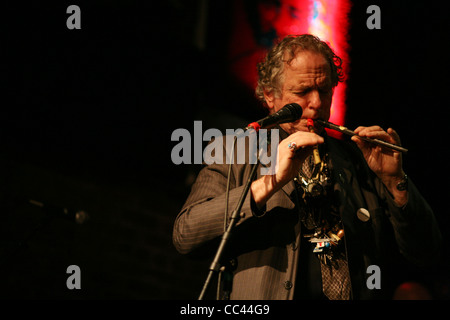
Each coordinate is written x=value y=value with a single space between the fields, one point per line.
x=326 y=19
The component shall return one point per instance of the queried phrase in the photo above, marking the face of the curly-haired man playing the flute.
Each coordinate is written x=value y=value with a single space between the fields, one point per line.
x=307 y=81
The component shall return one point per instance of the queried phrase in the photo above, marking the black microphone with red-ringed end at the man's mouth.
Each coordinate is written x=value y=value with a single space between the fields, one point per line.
x=289 y=113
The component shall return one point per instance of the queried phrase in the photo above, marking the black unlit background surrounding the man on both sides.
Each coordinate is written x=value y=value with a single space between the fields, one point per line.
x=87 y=117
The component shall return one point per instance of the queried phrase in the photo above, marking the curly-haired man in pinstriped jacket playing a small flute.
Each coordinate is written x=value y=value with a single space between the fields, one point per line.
x=332 y=212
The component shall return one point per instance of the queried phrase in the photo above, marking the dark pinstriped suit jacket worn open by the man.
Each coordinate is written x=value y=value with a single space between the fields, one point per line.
x=266 y=247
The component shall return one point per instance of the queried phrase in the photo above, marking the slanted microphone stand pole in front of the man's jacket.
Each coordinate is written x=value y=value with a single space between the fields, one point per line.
x=215 y=265
